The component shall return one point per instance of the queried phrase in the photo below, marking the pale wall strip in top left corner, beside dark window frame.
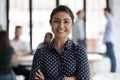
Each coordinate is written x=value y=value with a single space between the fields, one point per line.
x=3 y=14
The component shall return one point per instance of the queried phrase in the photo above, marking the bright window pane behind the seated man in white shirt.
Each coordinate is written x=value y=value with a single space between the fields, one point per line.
x=19 y=15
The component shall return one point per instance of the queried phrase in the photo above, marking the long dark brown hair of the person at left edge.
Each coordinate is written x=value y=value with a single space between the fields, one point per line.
x=4 y=41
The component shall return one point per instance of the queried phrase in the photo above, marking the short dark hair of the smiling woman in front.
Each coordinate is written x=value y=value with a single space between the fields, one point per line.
x=62 y=8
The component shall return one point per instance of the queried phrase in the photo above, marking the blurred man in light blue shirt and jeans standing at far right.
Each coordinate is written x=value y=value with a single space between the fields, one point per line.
x=109 y=38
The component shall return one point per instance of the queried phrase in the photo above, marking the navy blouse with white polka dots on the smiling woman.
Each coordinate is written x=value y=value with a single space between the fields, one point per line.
x=72 y=61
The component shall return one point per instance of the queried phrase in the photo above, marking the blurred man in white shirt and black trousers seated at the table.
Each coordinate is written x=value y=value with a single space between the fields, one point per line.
x=21 y=49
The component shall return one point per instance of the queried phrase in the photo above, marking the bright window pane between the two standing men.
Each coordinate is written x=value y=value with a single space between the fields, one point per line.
x=95 y=22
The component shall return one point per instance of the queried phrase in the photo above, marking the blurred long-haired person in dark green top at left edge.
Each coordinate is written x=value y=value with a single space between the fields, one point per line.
x=6 y=53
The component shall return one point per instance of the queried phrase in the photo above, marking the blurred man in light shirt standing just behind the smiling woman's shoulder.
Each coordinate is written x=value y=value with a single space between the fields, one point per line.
x=78 y=31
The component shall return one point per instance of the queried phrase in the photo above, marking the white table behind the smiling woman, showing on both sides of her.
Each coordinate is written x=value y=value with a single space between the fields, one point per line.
x=27 y=61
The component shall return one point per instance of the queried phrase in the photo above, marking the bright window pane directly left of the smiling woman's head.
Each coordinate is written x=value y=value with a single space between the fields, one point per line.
x=41 y=15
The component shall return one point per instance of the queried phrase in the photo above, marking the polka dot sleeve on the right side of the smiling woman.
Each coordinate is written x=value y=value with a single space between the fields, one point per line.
x=82 y=71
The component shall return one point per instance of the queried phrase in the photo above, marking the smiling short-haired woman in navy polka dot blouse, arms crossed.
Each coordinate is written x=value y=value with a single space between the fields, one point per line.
x=61 y=59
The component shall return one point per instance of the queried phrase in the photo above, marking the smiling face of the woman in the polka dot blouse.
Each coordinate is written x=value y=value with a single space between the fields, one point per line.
x=61 y=24
